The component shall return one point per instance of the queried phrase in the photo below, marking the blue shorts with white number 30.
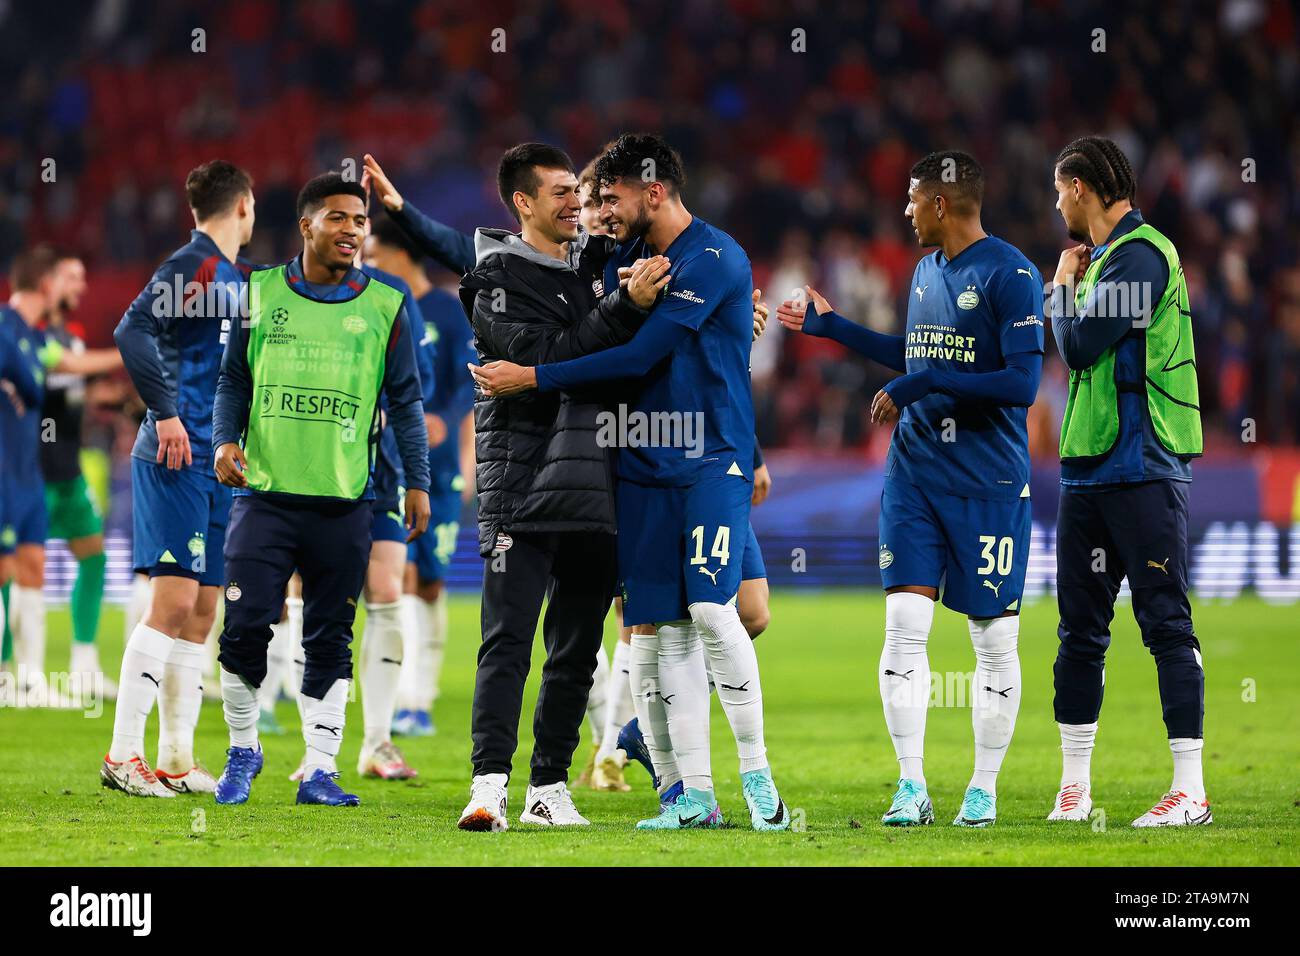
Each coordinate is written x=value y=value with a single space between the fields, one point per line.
x=976 y=550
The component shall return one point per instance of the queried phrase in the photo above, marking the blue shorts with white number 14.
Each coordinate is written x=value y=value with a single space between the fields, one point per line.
x=678 y=547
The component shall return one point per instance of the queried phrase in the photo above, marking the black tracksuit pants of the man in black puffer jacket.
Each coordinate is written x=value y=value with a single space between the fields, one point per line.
x=578 y=572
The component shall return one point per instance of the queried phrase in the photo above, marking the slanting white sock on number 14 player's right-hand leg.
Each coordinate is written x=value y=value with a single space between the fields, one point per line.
x=734 y=667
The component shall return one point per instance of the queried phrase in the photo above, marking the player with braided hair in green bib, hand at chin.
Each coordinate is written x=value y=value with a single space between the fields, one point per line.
x=1123 y=323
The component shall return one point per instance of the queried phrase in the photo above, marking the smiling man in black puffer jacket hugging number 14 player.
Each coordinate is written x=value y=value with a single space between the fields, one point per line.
x=545 y=485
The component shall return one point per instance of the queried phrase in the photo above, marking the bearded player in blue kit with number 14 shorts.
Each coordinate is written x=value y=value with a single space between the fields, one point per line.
x=686 y=475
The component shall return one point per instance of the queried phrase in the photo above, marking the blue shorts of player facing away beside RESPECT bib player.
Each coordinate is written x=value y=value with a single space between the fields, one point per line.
x=179 y=520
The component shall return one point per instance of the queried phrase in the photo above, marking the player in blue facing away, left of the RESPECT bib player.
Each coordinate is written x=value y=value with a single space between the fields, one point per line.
x=172 y=340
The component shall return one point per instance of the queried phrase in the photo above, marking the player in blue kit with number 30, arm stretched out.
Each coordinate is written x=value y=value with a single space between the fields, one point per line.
x=956 y=501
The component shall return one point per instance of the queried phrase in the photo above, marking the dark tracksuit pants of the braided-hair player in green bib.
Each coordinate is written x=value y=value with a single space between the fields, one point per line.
x=1137 y=531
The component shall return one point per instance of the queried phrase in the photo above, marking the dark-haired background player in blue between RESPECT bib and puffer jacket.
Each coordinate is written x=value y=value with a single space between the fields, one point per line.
x=448 y=344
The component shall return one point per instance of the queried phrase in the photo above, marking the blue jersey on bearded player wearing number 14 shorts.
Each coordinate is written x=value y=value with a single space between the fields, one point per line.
x=696 y=406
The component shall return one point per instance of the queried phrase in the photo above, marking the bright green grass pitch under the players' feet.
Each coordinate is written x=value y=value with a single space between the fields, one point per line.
x=827 y=742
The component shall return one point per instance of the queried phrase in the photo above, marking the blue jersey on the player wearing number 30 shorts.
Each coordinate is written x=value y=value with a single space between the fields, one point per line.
x=967 y=315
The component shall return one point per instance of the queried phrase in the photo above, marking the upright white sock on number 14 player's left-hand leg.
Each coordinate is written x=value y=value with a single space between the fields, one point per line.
x=684 y=694
